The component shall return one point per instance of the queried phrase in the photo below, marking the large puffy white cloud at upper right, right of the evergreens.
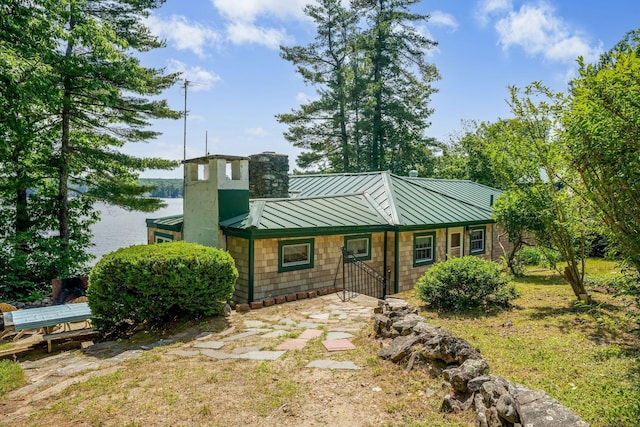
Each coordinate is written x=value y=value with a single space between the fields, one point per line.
x=538 y=31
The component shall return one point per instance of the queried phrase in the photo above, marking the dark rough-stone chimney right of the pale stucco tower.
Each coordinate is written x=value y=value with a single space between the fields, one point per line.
x=268 y=175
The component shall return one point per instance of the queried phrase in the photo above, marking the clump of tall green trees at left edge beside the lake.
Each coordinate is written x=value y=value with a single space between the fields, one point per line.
x=72 y=94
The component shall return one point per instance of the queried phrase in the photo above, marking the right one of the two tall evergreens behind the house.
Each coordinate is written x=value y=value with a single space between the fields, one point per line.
x=399 y=84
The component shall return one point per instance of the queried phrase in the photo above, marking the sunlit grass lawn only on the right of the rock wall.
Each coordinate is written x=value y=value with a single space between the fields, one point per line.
x=584 y=356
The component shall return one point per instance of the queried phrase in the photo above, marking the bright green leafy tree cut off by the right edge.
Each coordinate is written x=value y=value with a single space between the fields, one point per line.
x=603 y=125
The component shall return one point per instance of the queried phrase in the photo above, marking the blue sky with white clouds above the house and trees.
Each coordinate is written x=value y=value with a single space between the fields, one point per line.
x=229 y=50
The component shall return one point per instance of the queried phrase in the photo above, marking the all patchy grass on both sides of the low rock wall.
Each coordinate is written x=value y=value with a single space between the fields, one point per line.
x=584 y=356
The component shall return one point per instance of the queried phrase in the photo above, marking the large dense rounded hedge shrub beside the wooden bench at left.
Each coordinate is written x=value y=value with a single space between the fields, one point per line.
x=153 y=283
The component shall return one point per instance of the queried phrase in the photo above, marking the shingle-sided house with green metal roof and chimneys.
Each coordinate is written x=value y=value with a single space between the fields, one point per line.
x=291 y=241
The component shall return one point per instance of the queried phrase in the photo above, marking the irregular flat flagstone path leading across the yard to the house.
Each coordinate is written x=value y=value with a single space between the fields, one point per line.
x=324 y=318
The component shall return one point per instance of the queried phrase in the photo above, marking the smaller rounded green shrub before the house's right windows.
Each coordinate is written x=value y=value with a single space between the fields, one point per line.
x=465 y=283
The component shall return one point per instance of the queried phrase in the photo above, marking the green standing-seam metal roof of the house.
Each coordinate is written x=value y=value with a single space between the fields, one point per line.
x=375 y=199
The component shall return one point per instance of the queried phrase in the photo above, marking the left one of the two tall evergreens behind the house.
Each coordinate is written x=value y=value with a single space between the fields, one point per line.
x=322 y=126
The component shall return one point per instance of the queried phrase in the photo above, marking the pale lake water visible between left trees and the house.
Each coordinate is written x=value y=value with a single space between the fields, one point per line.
x=119 y=228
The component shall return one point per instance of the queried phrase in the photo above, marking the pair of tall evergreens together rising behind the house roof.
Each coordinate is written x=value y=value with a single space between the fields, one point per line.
x=373 y=84
